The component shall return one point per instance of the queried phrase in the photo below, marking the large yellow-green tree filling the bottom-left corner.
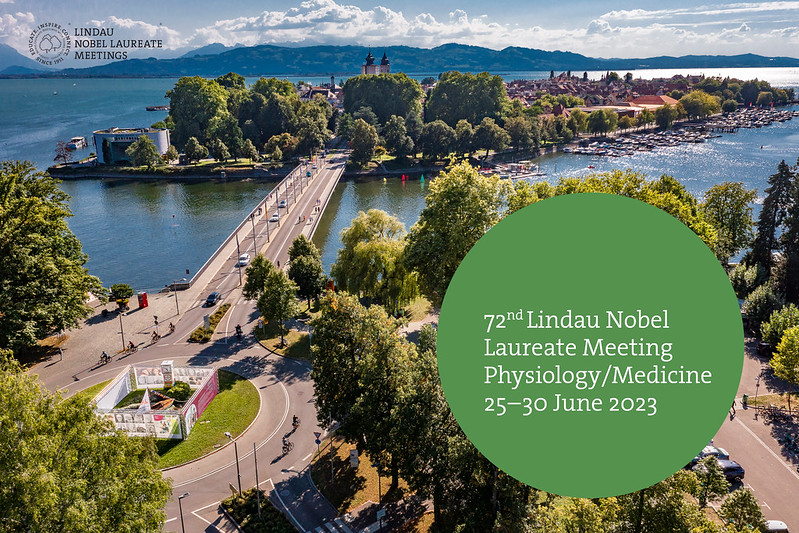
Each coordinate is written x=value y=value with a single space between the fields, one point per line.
x=65 y=469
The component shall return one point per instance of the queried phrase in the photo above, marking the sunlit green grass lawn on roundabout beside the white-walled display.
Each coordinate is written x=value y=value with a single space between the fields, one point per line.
x=233 y=409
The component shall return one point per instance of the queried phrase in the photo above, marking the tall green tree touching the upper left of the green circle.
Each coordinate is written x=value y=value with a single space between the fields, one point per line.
x=460 y=207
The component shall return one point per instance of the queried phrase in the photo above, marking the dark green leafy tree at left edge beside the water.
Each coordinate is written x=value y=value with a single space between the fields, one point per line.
x=45 y=282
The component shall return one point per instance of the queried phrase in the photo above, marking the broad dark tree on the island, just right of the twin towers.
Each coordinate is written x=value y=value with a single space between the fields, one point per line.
x=459 y=96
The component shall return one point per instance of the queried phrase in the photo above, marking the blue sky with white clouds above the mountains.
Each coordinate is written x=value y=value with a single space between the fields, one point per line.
x=593 y=28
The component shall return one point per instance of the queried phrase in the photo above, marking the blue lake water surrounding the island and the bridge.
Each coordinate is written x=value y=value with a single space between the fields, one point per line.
x=127 y=227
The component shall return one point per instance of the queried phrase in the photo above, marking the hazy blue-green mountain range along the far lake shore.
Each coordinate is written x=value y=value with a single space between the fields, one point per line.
x=268 y=60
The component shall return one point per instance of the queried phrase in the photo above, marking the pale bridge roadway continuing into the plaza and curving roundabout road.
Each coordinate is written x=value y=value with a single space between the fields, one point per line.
x=284 y=384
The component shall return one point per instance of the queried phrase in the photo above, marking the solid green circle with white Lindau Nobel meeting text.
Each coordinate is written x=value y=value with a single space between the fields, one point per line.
x=590 y=345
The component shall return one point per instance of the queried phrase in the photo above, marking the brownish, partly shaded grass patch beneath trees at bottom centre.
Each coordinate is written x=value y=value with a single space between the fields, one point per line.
x=350 y=487
